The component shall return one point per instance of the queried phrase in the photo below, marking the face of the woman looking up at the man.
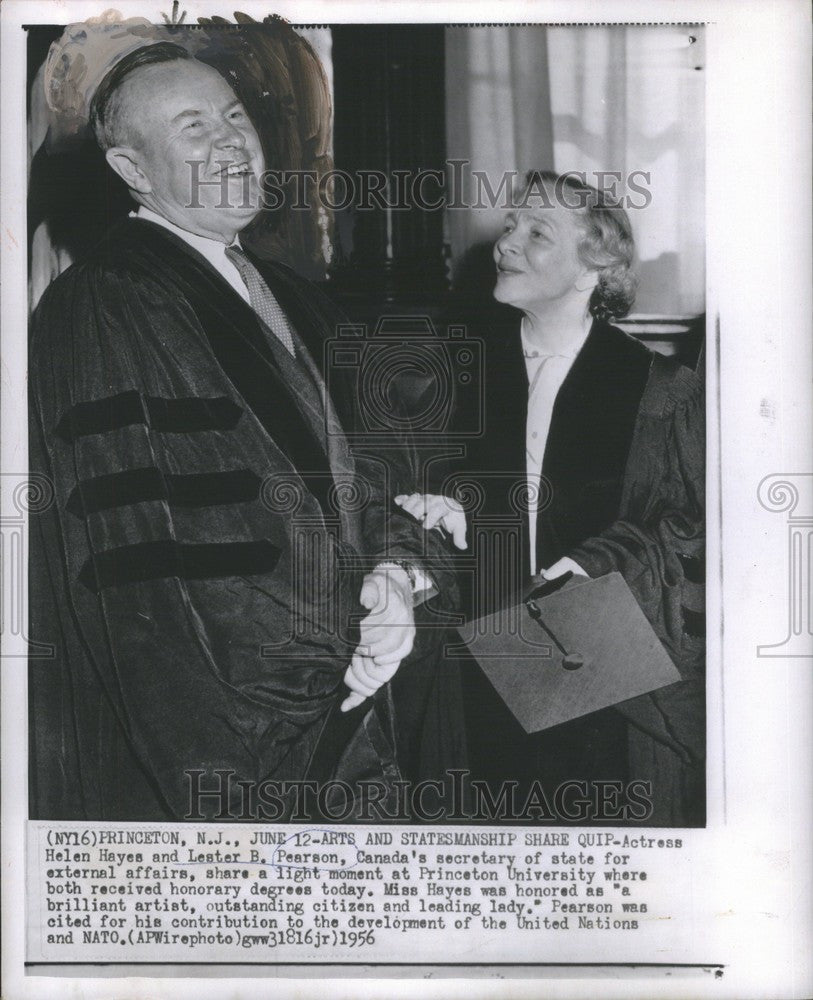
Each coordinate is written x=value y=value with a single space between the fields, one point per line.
x=537 y=258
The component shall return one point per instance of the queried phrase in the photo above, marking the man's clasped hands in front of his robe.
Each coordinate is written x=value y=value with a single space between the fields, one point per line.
x=387 y=633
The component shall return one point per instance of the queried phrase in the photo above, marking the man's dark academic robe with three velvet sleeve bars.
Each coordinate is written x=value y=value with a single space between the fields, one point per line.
x=210 y=530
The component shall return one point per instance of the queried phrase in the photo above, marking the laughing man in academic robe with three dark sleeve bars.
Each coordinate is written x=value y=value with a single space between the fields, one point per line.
x=200 y=569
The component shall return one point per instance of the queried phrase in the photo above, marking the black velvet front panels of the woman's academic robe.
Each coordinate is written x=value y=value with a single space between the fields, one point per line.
x=588 y=442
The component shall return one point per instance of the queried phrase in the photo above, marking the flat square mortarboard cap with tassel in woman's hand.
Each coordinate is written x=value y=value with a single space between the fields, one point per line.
x=556 y=656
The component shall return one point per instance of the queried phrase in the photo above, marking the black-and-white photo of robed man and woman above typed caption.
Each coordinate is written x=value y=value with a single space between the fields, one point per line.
x=256 y=558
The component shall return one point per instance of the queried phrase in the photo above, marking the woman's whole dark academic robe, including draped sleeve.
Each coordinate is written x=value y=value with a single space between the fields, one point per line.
x=624 y=490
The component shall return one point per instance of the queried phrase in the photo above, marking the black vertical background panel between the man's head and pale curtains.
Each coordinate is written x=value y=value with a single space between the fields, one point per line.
x=389 y=117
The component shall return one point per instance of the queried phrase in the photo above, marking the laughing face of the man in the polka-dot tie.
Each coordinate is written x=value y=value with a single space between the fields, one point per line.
x=199 y=155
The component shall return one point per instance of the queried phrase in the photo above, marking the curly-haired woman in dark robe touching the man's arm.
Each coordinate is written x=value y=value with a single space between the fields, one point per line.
x=608 y=441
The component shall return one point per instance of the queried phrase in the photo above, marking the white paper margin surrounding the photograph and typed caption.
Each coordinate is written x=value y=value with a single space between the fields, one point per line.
x=753 y=864
